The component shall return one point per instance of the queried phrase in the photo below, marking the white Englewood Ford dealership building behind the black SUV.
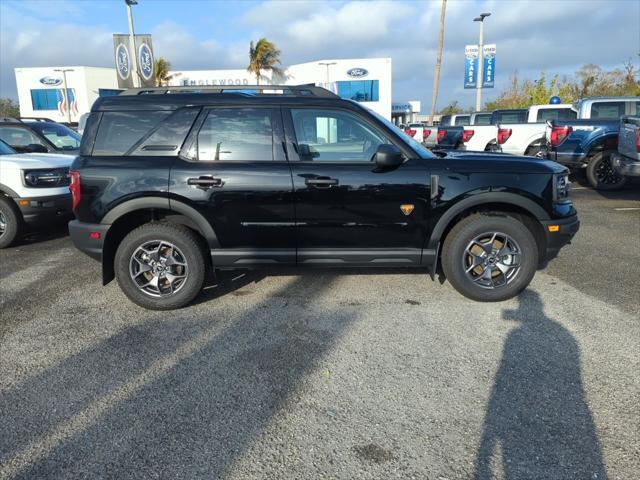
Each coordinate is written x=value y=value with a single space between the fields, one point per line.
x=65 y=93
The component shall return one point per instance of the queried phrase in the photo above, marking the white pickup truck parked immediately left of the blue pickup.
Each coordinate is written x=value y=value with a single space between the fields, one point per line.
x=527 y=138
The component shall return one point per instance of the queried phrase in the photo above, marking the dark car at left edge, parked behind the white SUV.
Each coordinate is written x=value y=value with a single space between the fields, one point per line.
x=38 y=135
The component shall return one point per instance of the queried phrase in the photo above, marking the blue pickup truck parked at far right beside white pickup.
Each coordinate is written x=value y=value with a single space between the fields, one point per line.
x=589 y=142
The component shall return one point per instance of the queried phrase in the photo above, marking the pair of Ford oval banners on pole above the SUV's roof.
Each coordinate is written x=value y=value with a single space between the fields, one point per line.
x=124 y=60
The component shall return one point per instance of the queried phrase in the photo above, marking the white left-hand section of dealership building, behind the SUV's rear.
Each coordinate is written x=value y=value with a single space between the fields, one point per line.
x=85 y=83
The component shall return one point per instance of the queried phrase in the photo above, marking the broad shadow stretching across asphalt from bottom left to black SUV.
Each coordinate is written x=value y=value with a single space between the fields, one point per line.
x=180 y=396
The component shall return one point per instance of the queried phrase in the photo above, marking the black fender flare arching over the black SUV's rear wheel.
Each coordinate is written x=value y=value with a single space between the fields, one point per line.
x=164 y=203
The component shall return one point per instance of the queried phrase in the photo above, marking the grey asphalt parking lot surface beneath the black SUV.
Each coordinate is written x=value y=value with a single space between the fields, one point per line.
x=329 y=374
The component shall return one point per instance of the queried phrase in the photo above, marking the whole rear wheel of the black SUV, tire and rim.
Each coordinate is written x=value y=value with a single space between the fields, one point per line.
x=183 y=242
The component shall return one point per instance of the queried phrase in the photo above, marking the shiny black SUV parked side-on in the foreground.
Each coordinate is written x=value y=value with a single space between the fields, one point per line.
x=172 y=183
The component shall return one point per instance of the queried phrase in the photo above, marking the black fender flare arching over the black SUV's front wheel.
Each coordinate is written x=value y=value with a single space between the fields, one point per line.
x=484 y=198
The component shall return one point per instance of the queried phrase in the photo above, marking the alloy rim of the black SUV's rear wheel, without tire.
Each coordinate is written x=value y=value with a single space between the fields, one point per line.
x=158 y=268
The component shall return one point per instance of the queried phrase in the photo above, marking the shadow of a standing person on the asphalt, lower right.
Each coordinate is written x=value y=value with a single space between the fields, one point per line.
x=537 y=419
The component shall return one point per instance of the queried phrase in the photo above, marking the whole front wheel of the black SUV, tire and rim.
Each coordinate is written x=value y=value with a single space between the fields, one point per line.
x=455 y=257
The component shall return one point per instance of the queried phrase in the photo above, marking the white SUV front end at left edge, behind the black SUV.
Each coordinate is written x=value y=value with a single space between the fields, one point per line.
x=34 y=191
